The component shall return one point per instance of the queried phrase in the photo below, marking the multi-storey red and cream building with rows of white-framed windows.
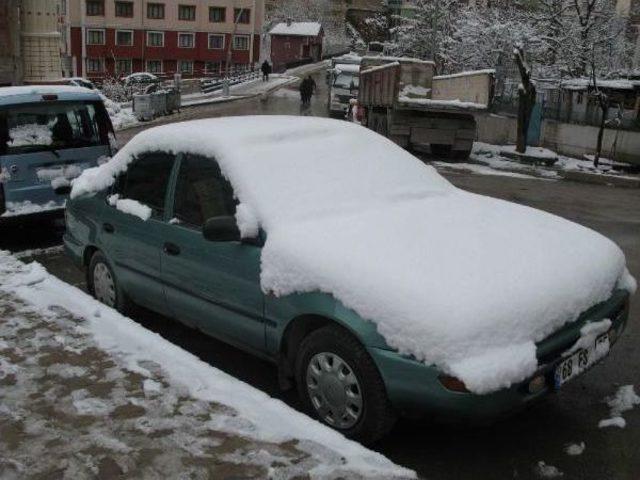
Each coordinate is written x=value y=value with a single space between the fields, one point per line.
x=193 y=37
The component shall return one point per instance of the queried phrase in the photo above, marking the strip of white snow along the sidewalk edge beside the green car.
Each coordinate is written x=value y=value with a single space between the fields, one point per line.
x=255 y=414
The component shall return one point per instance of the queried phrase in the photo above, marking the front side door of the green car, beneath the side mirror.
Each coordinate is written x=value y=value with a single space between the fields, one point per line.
x=212 y=285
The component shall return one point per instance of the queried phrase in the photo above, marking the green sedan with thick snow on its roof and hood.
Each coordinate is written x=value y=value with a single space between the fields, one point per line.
x=374 y=285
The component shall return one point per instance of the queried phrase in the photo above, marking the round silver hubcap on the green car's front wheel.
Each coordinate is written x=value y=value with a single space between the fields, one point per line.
x=334 y=390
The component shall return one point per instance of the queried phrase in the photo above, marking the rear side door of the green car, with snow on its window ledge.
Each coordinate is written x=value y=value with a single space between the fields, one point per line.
x=132 y=244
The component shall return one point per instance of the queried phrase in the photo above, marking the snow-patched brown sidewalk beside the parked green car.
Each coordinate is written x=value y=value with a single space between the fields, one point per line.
x=88 y=393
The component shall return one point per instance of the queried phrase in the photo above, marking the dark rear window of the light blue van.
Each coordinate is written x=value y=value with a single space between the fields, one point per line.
x=53 y=126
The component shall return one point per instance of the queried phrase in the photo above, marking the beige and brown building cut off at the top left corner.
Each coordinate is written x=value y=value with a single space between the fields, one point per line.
x=29 y=41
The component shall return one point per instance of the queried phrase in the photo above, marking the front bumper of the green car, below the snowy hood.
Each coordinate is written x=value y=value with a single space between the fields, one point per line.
x=415 y=390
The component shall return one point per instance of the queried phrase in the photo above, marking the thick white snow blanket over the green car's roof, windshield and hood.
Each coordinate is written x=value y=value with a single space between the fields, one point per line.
x=462 y=281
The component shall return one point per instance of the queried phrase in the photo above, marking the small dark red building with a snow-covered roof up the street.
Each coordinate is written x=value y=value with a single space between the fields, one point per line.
x=295 y=43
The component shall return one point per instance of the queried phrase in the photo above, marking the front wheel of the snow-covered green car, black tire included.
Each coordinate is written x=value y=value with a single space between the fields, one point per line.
x=375 y=415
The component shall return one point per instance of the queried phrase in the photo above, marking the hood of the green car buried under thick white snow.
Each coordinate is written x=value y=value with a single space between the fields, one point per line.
x=466 y=282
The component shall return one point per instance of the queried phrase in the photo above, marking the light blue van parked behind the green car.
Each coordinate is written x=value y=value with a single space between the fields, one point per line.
x=48 y=135
